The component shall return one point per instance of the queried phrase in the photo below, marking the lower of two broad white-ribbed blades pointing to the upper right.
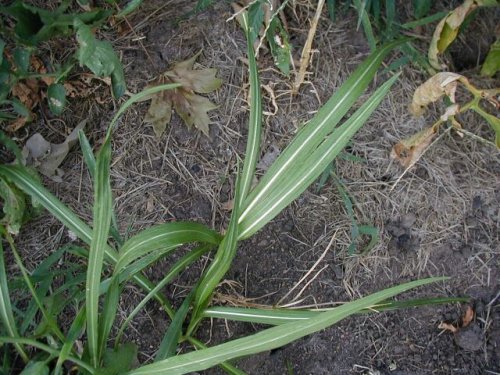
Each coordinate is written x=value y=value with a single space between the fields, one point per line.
x=309 y=168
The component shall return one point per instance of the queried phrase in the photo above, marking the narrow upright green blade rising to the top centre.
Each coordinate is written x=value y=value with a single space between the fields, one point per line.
x=255 y=120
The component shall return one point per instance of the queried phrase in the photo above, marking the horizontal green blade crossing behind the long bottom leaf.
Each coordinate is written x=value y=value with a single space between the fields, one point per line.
x=283 y=316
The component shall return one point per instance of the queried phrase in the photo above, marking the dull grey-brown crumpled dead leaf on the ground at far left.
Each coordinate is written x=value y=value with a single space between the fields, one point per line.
x=46 y=156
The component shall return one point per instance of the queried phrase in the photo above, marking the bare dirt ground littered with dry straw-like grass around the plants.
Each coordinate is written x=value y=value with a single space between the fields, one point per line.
x=440 y=218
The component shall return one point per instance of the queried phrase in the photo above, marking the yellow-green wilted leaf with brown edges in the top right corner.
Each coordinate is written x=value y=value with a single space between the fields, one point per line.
x=447 y=30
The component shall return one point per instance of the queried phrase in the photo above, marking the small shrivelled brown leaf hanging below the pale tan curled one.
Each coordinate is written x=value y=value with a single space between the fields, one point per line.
x=409 y=150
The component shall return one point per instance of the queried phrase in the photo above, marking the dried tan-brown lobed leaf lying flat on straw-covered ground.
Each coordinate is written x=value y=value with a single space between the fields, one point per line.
x=192 y=108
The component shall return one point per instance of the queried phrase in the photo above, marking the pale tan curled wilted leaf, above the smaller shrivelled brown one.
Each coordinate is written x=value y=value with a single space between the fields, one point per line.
x=433 y=89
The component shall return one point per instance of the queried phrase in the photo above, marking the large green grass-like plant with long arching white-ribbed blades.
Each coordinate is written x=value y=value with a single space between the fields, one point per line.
x=94 y=297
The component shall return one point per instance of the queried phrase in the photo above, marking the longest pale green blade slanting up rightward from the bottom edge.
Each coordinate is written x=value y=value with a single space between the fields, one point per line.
x=270 y=338
